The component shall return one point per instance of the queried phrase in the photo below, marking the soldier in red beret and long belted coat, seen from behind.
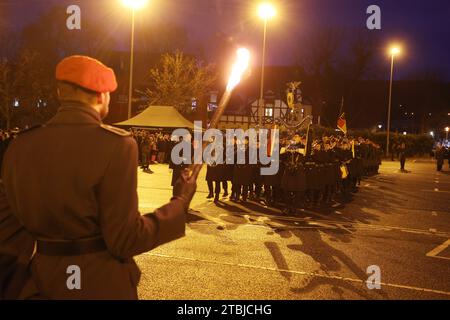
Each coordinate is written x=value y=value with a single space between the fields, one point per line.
x=78 y=196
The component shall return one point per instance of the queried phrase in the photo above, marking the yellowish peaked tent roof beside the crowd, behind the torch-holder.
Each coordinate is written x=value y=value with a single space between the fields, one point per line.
x=158 y=117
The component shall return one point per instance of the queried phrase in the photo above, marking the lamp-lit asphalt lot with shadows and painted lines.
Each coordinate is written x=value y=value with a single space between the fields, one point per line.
x=397 y=222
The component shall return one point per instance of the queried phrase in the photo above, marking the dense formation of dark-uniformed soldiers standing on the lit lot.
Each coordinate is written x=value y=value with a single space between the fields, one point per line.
x=304 y=179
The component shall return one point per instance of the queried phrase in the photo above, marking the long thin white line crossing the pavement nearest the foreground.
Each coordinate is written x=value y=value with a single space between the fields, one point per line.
x=304 y=273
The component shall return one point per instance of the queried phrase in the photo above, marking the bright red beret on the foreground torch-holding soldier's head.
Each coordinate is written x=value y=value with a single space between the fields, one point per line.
x=87 y=73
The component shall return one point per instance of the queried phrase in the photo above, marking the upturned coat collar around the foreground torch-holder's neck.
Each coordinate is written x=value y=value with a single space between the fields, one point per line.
x=73 y=112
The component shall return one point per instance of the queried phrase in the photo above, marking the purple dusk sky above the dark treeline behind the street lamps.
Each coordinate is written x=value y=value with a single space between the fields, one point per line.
x=421 y=26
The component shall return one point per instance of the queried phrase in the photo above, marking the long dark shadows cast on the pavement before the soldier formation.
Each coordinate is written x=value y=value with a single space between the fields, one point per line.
x=310 y=227
